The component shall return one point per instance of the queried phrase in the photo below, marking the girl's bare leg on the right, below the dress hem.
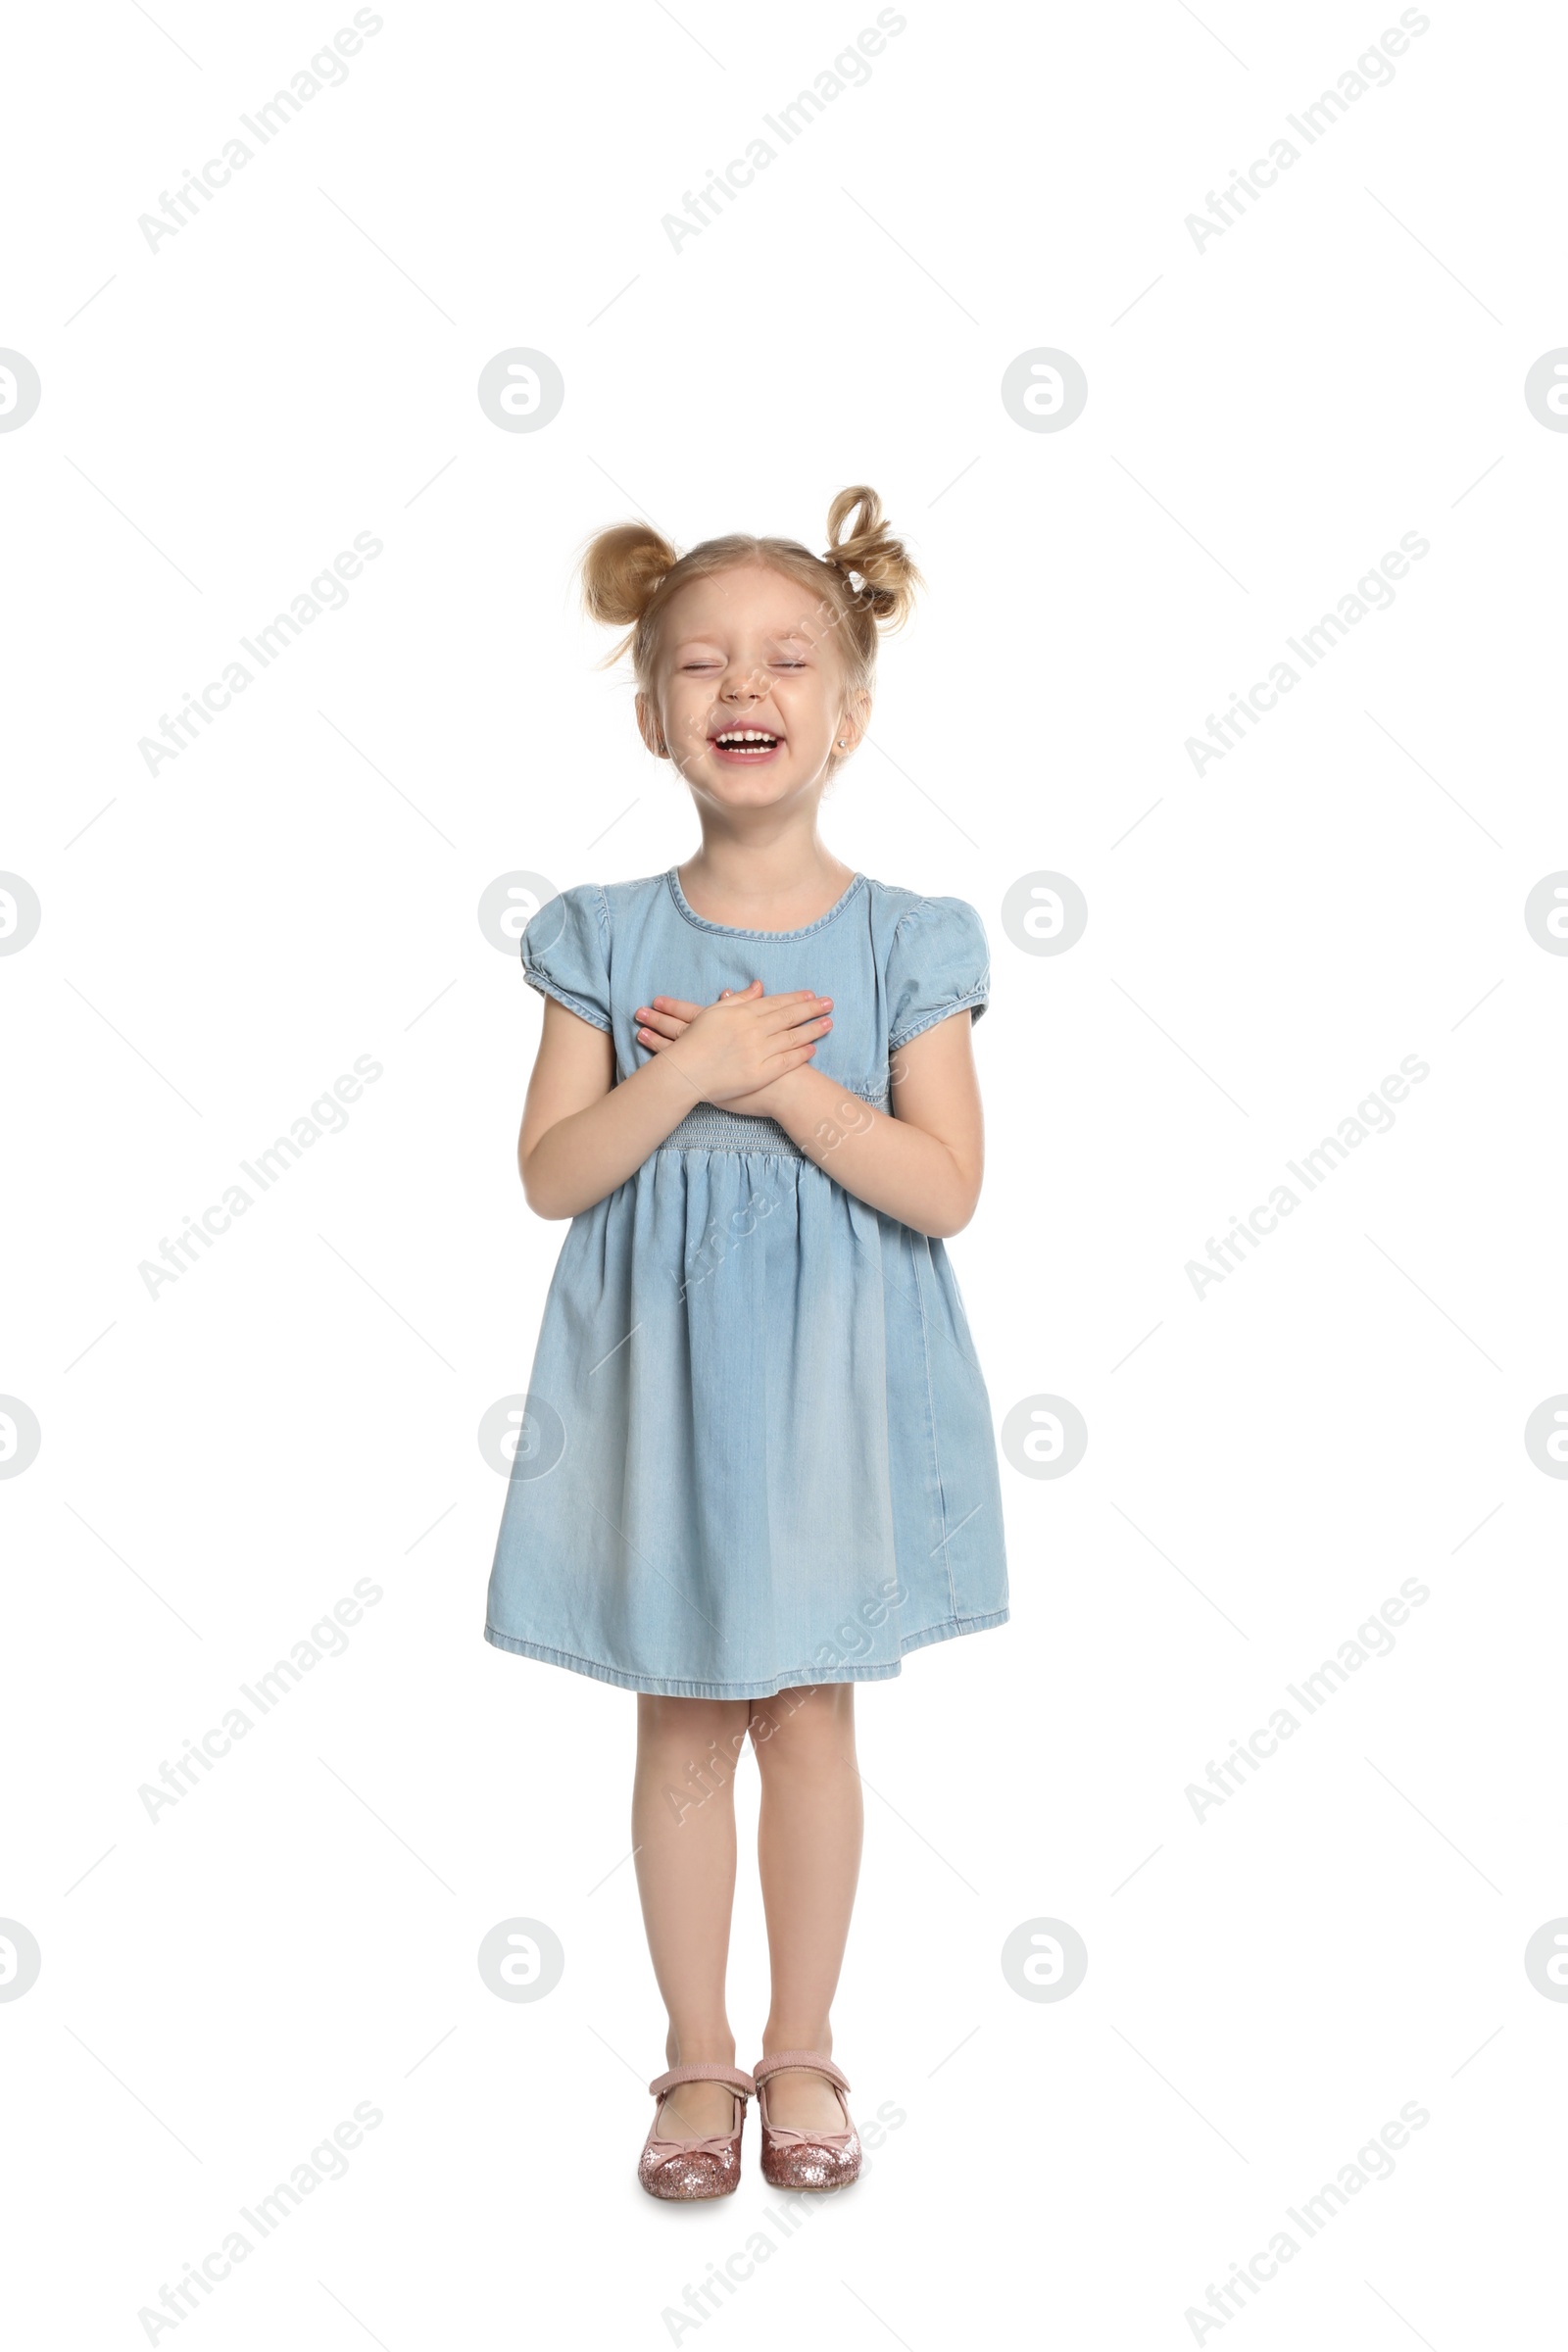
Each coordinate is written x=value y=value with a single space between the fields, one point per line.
x=810 y=1862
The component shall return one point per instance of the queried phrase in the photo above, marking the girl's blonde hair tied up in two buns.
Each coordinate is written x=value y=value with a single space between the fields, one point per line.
x=631 y=575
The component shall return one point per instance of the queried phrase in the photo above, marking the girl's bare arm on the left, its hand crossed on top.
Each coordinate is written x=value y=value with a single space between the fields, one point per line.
x=582 y=1135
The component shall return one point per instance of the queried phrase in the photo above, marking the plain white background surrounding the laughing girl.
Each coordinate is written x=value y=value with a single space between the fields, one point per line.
x=1268 y=1464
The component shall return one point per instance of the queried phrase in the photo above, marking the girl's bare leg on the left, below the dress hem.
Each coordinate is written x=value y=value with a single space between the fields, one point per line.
x=685 y=1838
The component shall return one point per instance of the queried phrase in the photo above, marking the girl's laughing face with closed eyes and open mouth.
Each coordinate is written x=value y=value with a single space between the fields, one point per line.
x=749 y=690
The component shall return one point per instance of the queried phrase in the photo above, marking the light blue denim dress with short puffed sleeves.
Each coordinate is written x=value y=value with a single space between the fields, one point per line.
x=758 y=1448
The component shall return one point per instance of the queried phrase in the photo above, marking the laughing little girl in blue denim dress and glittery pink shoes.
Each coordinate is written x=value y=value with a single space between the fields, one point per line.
x=758 y=1457
